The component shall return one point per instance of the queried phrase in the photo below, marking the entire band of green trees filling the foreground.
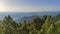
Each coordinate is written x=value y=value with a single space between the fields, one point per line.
x=44 y=25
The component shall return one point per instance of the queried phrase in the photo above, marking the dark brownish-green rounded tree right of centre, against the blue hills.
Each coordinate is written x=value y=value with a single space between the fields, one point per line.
x=37 y=22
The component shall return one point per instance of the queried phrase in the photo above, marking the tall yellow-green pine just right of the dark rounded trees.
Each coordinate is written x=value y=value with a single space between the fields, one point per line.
x=47 y=24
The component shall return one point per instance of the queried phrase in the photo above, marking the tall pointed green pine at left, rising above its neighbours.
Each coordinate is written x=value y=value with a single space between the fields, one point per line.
x=9 y=25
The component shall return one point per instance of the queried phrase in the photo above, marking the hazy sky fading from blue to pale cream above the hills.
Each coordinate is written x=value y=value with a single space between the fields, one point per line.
x=29 y=5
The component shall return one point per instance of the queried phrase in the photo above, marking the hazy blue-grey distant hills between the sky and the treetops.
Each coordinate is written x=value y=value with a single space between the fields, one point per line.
x=21 y=16
